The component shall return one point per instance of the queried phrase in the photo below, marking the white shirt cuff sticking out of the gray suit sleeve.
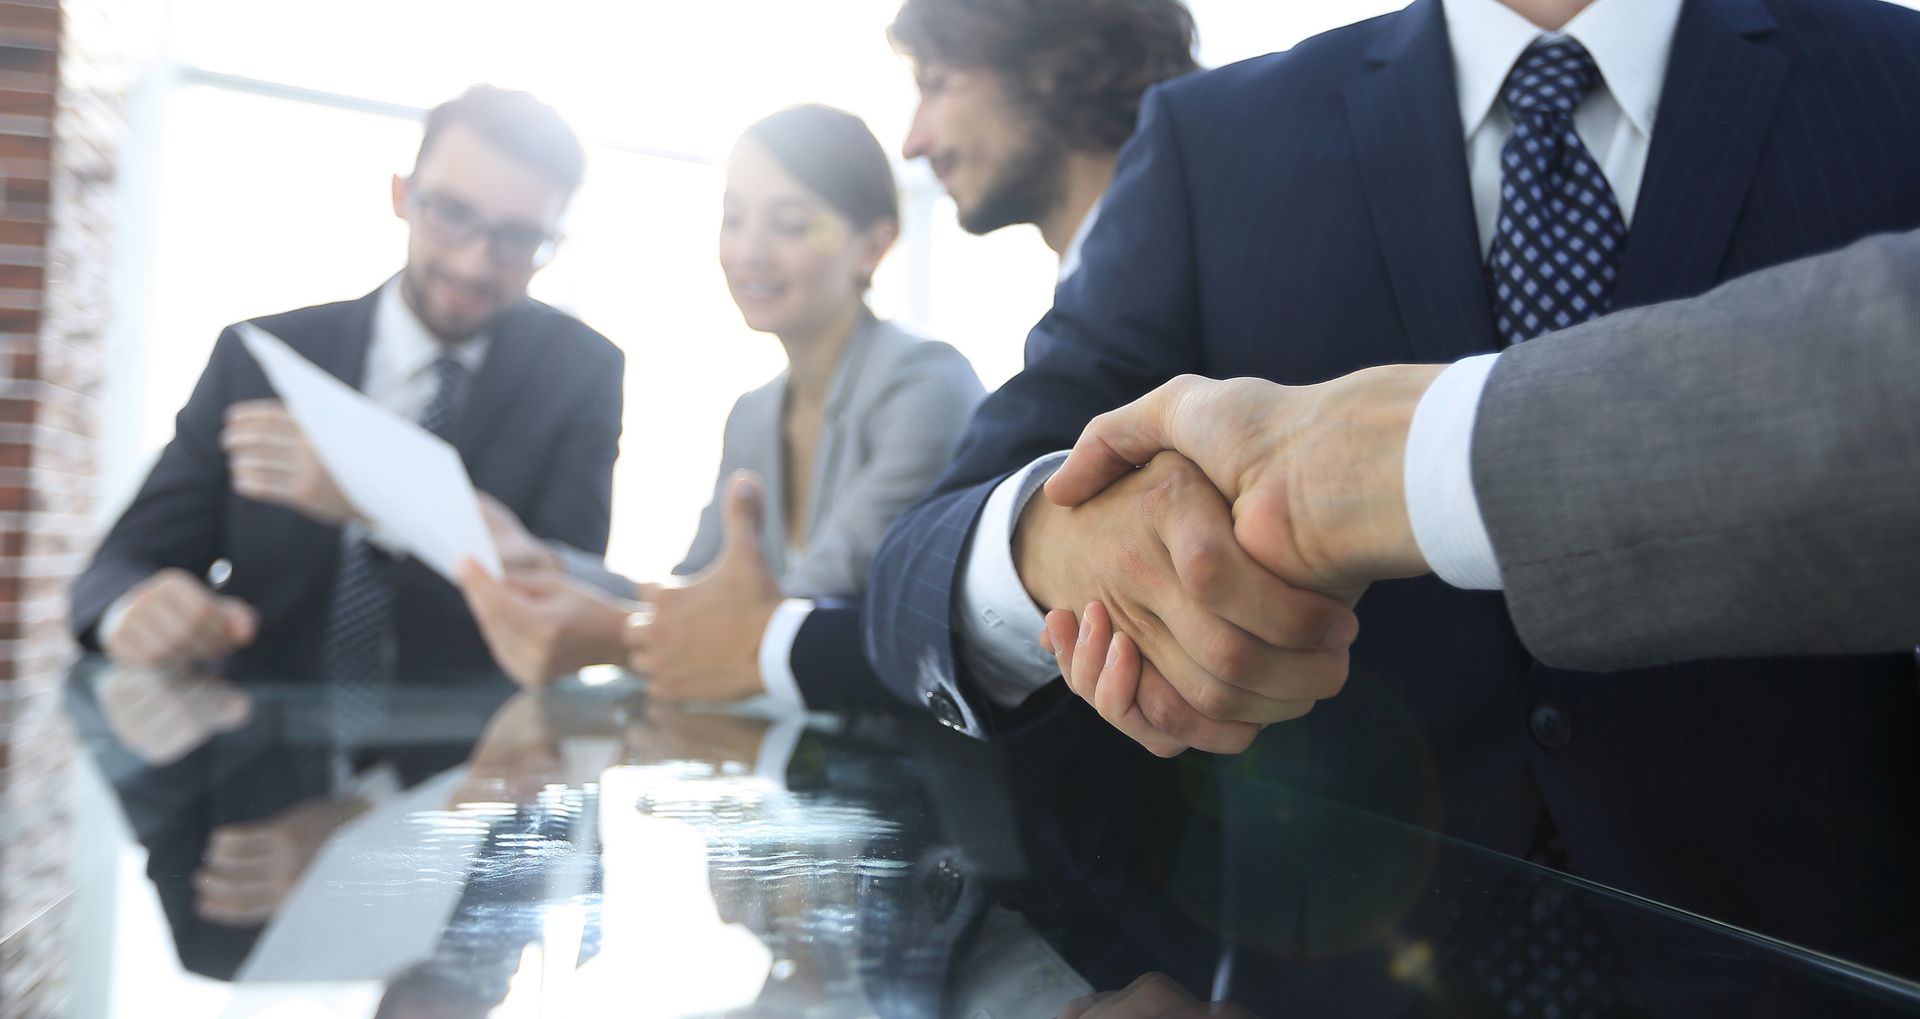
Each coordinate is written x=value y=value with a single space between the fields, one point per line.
x=1439 y=473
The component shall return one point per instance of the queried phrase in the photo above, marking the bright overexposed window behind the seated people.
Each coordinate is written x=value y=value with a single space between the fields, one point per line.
x=264 y=135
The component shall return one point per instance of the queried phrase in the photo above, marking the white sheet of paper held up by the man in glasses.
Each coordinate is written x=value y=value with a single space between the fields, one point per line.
x=408 y=481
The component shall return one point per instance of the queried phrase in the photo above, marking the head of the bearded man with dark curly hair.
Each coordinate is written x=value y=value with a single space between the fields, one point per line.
x=1024 y=105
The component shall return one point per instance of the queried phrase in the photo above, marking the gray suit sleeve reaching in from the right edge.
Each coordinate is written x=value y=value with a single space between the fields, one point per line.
x=1735 y=475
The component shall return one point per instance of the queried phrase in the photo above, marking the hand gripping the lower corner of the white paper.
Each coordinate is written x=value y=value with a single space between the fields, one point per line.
x=546 y=625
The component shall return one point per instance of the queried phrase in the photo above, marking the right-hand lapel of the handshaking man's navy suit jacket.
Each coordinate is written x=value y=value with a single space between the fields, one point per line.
x=1723 y=85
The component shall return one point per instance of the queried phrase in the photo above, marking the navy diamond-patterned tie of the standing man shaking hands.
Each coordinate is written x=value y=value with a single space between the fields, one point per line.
x=1560 y=233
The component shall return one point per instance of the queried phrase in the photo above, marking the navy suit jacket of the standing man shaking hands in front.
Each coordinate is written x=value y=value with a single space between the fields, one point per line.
x=1308 y=214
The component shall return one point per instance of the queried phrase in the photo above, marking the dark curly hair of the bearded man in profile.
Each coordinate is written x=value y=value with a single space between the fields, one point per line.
x=1080 y=66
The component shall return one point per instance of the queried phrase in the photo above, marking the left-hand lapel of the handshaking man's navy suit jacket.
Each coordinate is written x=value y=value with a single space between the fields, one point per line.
x=1404 y=118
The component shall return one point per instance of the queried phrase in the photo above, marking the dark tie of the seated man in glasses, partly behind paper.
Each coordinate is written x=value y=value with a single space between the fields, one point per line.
x=358 y=648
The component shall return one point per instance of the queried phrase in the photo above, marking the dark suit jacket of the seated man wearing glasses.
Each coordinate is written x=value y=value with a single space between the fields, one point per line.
x=540 y=431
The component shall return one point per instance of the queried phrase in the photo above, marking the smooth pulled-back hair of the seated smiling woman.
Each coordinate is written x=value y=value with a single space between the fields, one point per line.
x=834 y=156
